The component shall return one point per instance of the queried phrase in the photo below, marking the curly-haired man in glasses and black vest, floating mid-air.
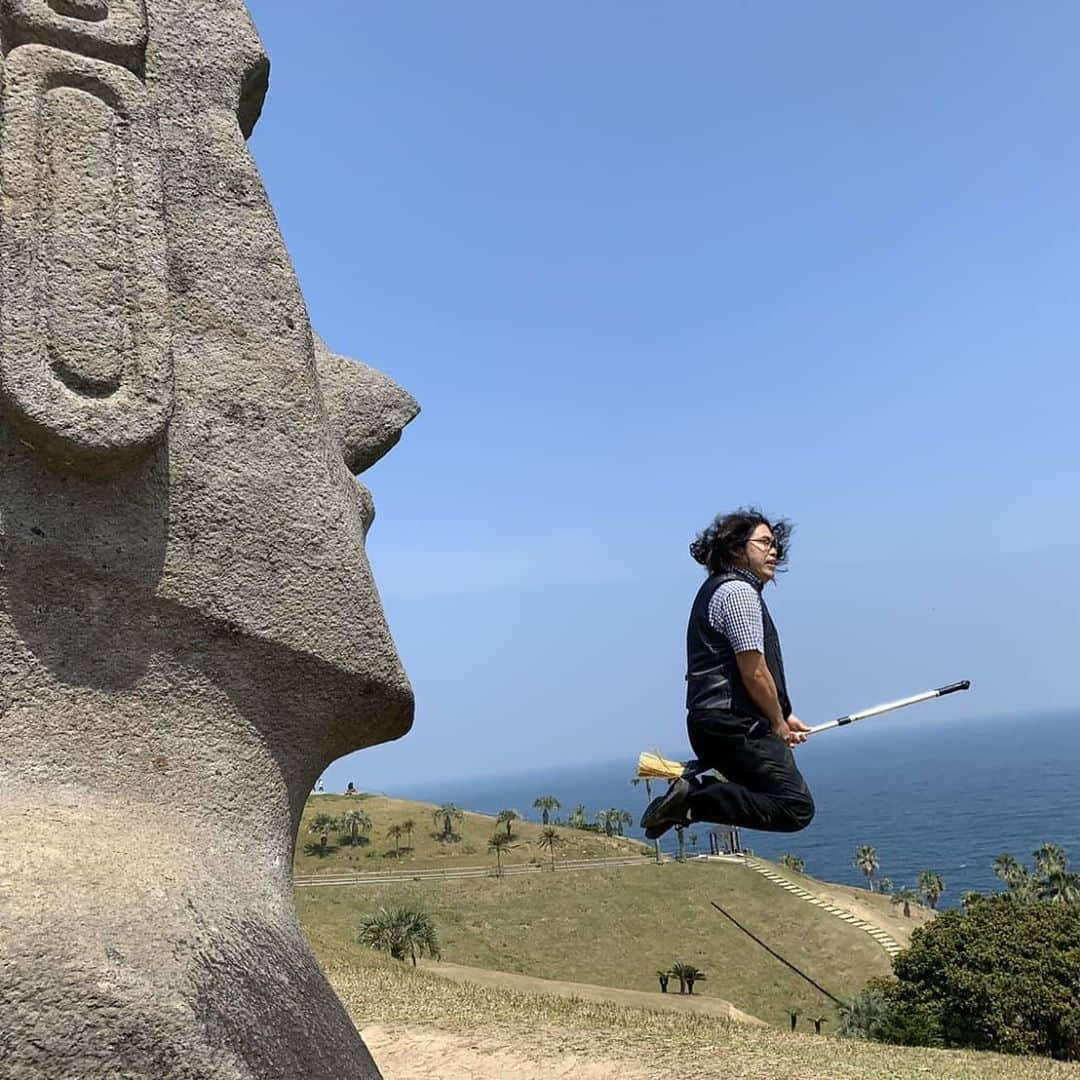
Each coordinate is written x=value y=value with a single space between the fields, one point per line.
x=739 y=717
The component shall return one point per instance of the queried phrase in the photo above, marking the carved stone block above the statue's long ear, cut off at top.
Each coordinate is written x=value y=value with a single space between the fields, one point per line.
x=113 y=31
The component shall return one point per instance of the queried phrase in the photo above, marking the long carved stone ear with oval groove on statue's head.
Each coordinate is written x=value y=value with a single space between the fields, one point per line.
x=86 y=366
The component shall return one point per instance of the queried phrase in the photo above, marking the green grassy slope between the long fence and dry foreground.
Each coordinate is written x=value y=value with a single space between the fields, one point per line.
x=618 y=927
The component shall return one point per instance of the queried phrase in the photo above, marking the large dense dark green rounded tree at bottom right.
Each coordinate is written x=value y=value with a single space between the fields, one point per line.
x=996 y=976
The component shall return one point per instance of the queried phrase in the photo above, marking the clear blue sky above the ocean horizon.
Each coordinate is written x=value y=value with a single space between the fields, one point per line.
x=644 y=263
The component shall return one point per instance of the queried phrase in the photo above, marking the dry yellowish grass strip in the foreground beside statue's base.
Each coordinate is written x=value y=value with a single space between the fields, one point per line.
x=404 y=1012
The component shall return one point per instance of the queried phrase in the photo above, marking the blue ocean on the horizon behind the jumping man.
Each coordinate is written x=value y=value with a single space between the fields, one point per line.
x=926 y=794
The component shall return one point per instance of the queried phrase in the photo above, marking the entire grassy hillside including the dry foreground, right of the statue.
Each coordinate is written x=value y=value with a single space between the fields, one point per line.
x=613 y=927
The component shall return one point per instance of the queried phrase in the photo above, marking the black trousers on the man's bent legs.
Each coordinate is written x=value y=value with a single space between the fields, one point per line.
x=764 y=788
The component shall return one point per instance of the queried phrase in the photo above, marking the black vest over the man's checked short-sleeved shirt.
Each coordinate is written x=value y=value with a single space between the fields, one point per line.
x=713 y=681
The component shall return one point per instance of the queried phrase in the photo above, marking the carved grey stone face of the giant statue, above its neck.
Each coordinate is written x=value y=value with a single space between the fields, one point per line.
x=167 y=418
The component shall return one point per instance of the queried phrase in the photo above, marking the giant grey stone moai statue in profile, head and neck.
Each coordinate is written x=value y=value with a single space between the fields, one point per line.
x=190 y=632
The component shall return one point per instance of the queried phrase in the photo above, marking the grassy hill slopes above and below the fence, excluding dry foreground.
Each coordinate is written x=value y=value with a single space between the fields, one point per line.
x=614 y=927
